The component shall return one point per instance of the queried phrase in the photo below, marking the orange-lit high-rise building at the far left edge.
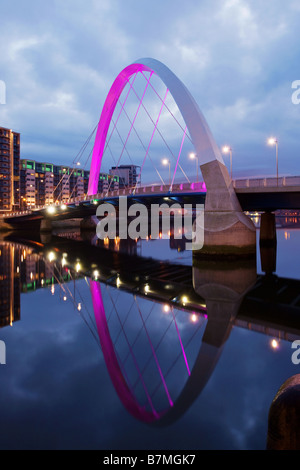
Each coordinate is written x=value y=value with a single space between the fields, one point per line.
x=9 y=170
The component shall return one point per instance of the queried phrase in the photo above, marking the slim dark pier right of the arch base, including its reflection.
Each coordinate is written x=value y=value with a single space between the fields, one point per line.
x=268 y=242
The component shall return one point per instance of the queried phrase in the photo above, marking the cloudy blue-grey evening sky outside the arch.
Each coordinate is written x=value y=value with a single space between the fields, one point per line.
x=238 y=58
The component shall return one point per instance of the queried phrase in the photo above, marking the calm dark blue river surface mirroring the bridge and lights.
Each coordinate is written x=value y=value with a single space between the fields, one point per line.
x=90 y=365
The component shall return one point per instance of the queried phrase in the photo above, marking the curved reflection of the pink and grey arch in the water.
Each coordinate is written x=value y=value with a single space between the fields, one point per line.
x=202 y=370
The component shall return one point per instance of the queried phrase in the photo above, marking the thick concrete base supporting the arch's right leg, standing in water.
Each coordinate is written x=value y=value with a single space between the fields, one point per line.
x=227 y=230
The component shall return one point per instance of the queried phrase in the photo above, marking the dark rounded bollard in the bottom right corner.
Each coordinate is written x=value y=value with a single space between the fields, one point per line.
x=284 y=417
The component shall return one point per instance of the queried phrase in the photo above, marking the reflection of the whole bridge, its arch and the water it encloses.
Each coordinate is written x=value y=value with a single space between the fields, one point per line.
x=162 y=326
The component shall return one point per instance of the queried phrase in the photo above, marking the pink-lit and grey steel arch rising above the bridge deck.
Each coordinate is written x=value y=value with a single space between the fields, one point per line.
x=205 y=146
